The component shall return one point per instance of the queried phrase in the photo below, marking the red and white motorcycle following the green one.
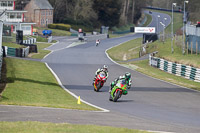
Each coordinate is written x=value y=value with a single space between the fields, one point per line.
x=99 y=81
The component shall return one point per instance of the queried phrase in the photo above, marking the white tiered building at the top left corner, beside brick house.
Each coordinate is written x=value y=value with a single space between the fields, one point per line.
x=15 y=18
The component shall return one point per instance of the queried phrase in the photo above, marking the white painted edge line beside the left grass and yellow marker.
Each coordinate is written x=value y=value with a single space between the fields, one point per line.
x=103 y=110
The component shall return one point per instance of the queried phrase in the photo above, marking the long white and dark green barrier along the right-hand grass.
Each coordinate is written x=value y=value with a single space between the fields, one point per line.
x=187 y=72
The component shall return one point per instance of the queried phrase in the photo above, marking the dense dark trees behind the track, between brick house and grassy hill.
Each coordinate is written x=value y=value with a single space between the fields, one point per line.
x=98 y=12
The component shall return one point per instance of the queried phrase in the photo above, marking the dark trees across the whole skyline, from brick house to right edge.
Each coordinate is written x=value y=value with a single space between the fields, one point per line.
x=94 y=13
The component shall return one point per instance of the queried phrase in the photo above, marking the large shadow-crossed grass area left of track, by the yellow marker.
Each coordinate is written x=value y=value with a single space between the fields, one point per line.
x=30 y=83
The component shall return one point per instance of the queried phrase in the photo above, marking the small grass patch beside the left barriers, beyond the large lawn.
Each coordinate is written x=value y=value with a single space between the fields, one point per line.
x=41 y=52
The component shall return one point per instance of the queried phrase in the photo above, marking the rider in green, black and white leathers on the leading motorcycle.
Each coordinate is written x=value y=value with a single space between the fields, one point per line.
x=127 y=77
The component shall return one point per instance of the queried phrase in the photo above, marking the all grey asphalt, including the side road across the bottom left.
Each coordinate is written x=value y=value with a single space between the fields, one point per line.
x=151 y=104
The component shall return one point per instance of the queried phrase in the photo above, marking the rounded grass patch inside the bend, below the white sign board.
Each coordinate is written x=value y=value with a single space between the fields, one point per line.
x=128 y=50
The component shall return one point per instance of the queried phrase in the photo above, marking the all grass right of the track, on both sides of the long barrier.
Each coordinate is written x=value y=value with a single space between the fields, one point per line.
x=164 y=51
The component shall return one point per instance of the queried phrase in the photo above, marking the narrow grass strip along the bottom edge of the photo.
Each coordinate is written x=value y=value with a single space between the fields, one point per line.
x=40 y=127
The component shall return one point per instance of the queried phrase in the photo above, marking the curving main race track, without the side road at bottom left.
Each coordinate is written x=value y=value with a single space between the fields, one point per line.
x=148 y=98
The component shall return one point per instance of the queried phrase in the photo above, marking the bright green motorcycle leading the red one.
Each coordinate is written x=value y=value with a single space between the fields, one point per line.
x=118 y=90
